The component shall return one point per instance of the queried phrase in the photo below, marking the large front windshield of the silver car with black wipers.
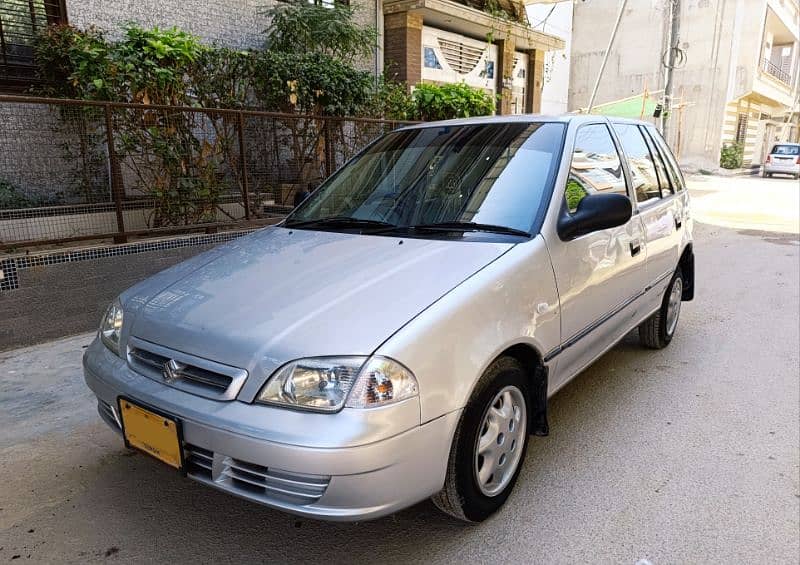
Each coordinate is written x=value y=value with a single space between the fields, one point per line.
x=494 y=174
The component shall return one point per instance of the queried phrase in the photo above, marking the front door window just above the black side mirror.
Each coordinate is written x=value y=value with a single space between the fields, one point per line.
x=595 y=166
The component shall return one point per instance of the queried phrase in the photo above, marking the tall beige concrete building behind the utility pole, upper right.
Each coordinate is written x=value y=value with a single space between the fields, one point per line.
x=737 y=82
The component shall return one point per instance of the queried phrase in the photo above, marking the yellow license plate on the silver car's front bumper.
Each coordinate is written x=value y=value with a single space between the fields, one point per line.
x=155 y=434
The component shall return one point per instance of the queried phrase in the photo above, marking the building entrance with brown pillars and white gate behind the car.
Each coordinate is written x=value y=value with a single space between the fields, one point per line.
x=446 y=41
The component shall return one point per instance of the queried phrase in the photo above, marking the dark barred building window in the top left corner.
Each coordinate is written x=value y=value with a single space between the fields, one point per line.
x=20 y=21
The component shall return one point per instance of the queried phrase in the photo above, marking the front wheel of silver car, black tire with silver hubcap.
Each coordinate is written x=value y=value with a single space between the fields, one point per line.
x=467 y=494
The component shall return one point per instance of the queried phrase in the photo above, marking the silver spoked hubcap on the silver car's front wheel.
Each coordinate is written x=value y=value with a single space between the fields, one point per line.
x=500 y=441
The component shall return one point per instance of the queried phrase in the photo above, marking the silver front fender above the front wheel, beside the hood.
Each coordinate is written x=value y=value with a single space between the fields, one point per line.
x=448 y=346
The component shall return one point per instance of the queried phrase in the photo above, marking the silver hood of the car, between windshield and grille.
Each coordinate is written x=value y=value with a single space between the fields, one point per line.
x=278 y=294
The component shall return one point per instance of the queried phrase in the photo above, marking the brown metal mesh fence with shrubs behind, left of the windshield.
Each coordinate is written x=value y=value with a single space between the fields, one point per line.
x=76 y=170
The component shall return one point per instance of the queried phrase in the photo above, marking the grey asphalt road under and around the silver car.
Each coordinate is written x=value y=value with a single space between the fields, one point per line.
x=690 y=454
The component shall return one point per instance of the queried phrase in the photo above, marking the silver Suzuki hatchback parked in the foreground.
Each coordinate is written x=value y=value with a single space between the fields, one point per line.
x=399 y=335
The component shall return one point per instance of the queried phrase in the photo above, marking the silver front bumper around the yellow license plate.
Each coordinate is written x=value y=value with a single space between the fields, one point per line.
x=356 y=482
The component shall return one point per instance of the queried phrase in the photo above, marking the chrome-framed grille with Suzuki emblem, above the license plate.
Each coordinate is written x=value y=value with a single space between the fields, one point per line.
x=192 y=374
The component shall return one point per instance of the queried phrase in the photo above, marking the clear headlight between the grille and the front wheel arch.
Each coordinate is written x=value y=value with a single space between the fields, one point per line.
x=326 y=384
